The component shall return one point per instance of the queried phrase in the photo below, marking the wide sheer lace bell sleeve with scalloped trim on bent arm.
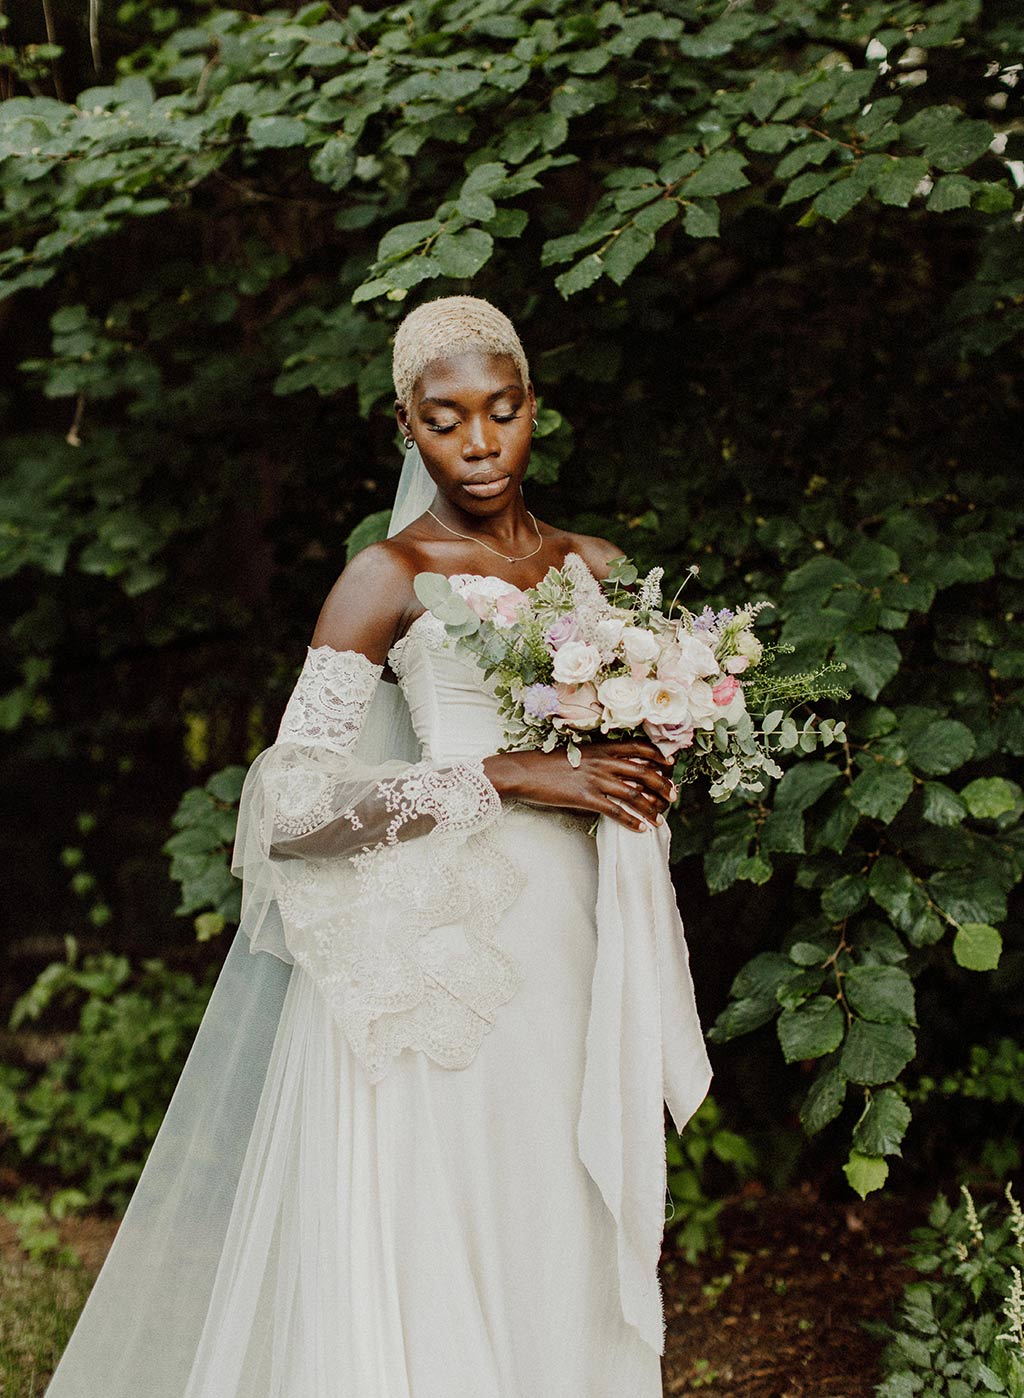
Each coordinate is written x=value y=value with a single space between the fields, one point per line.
x=383 y=880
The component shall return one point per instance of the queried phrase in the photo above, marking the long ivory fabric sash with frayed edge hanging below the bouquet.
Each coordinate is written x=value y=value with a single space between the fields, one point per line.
x=644 y=1048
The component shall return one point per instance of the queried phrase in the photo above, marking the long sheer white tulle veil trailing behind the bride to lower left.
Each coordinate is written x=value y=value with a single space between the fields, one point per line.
x=142 y=1325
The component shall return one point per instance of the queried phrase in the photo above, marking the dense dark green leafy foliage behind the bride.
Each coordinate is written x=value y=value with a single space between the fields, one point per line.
x=766 y=262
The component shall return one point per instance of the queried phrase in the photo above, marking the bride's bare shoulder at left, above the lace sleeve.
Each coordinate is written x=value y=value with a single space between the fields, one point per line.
x=369 y=602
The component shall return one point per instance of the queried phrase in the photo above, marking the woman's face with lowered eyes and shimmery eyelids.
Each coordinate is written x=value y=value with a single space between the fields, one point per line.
x=472 y=420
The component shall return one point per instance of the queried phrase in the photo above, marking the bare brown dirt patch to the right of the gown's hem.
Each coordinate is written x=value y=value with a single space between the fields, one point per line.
x=777 y=1315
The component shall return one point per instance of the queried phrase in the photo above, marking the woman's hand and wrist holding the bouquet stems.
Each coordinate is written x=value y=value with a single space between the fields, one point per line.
x=627 y=779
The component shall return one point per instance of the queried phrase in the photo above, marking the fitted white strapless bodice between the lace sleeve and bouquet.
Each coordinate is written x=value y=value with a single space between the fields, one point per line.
x=454 y=708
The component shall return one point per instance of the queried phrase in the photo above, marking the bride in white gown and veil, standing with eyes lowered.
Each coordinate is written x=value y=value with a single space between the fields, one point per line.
x=419 y=1147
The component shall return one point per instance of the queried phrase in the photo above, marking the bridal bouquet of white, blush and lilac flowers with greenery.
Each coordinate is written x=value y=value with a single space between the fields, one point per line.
x=576 y=659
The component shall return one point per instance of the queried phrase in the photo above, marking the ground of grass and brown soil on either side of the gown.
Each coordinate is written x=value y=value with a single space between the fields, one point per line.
x=774 y=1316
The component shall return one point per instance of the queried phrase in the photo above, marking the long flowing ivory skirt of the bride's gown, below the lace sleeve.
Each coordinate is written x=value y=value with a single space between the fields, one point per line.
x=434 y=1235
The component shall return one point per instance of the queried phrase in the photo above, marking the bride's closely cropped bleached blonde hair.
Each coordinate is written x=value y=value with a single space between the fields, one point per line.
x=448 y=326
